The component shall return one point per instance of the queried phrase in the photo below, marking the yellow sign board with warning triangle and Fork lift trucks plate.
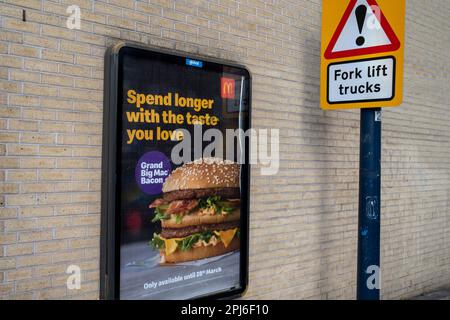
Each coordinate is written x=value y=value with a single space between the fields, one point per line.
x=362 y=53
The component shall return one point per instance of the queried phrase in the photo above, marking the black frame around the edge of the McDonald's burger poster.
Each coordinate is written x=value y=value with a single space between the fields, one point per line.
x=110 y=215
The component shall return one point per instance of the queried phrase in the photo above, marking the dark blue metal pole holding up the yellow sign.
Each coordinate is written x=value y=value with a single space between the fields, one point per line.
x=368 y=269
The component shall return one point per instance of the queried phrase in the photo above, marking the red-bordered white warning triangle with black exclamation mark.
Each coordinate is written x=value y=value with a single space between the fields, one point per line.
x=354 y=36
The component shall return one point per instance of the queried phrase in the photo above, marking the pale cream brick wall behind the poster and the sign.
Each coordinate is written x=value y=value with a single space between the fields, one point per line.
x=303 y=221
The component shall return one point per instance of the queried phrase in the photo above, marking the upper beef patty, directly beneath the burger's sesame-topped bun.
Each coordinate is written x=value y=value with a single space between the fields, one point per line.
x=227 y=193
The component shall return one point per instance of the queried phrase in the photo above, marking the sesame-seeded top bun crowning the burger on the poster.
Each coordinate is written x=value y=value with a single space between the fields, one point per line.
x=203 y=173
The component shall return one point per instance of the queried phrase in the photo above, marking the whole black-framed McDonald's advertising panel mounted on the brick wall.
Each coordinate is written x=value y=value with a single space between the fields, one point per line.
x=175 y=176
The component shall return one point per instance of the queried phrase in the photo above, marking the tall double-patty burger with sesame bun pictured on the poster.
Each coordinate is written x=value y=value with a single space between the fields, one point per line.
x=199 y=211
